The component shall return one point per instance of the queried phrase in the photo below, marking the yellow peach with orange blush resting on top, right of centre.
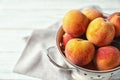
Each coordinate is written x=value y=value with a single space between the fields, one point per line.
x=100 y=32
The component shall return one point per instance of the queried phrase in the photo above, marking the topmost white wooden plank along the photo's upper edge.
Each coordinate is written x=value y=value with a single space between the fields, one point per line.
x=53 y=4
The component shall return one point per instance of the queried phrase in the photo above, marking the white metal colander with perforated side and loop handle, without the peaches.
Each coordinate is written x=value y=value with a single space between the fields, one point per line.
x=78 y=73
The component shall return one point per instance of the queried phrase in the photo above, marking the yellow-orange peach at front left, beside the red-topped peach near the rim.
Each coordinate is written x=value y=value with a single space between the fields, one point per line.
x=79 y=52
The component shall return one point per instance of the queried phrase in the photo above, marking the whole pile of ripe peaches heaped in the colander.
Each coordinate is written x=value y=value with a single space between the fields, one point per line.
x=88 y=38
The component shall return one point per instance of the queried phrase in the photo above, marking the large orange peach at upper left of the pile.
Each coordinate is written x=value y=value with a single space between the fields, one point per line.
x=75 y=23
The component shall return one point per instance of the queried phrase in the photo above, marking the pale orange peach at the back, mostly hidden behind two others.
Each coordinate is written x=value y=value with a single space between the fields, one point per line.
x=92 y=13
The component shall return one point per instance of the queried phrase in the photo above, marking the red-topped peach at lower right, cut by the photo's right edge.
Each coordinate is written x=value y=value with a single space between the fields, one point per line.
x=107 y=58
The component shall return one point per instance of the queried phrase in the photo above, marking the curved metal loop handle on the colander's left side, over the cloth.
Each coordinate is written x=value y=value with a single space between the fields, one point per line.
x=50 y=54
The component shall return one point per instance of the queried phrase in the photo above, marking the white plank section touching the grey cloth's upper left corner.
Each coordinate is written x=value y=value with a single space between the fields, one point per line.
x=13 y=40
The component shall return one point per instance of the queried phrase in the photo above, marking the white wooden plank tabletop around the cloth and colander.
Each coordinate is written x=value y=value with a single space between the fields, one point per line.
x=18 y=18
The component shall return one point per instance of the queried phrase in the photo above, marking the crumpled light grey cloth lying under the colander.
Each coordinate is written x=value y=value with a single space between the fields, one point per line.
x=34 y=61
